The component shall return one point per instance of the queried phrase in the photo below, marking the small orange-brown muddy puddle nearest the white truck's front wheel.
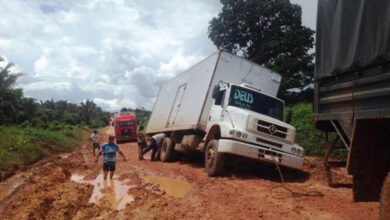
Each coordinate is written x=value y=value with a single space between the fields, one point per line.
x=172 y=187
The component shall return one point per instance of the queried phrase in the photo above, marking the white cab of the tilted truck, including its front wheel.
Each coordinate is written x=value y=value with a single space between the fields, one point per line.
x=249 y=123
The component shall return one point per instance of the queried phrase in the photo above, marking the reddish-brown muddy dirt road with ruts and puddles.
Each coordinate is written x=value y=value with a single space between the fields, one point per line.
x=71 y=187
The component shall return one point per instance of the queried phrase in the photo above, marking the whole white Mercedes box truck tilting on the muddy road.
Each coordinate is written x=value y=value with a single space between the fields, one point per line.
x=225 y=105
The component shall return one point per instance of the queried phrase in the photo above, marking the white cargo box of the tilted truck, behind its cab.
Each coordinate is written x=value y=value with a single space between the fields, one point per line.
x=184 y=102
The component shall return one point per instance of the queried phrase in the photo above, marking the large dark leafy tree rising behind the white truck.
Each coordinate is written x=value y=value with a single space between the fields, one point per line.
x=270 y=33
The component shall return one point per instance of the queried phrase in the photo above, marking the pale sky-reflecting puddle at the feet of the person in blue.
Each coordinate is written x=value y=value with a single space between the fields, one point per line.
x=112 y=191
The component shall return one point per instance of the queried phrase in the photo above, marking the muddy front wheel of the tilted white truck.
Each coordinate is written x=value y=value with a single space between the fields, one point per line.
x=213 y=159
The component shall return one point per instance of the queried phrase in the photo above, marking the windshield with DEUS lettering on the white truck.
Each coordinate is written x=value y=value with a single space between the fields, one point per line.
x=255 y=101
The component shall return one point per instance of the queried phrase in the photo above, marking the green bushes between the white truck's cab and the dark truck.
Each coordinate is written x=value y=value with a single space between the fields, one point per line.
x=311 y=139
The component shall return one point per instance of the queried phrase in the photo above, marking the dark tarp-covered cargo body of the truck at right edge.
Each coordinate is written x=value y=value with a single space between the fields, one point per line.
x=352 y=76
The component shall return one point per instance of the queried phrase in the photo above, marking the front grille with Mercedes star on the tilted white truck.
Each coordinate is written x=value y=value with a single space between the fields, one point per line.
x=267 y=128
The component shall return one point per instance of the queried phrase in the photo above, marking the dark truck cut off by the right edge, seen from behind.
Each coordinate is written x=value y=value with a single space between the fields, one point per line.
x=352 y=90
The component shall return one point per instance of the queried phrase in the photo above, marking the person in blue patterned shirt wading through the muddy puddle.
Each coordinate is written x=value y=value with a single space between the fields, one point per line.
x=109 y=151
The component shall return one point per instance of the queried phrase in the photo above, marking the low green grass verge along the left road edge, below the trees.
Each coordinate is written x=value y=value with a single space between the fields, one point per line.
x=23 y=145
